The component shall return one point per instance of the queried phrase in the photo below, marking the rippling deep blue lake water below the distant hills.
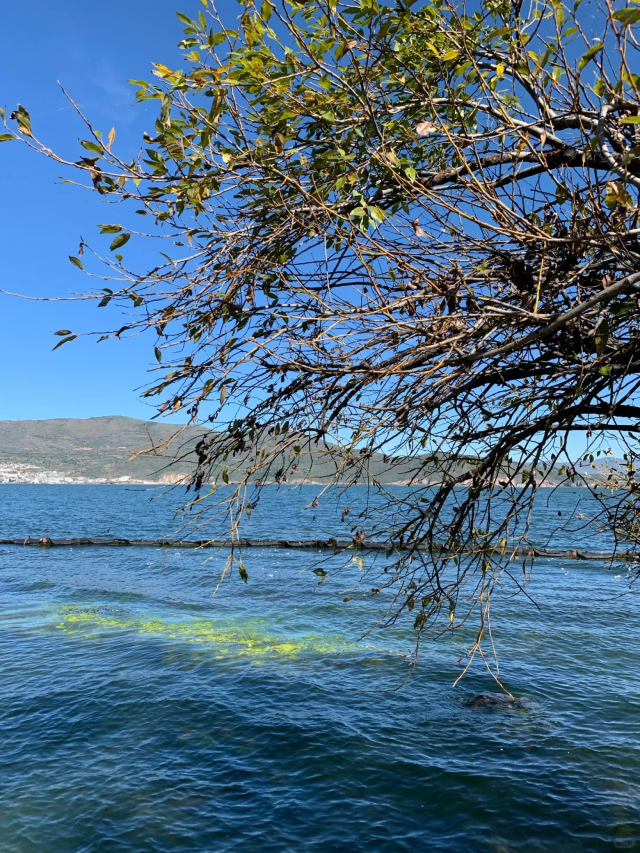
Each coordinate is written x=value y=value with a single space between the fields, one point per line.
x=139 y=711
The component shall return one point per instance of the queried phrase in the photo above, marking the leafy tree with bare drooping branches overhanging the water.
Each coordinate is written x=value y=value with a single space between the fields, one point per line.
x=408 y=229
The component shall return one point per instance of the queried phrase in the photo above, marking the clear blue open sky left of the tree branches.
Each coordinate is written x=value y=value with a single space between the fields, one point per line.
x=92 y=49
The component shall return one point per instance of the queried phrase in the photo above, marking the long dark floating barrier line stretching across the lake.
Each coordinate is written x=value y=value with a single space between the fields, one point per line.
x=302 y=544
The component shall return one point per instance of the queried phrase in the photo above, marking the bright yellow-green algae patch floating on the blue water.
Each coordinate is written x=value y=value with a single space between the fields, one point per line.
x=249 y=639
